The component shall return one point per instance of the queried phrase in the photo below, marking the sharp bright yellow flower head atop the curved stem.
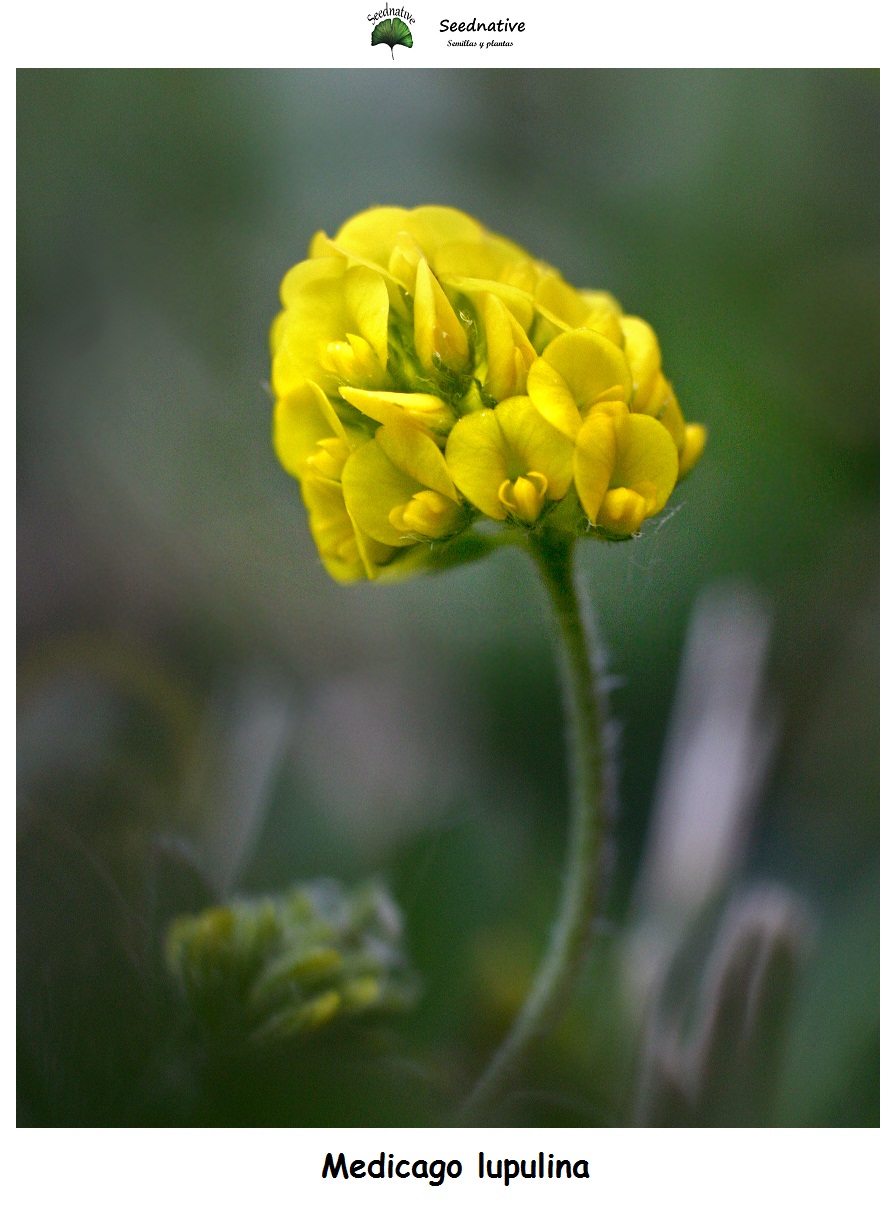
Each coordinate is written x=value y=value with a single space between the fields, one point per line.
x=430 y=374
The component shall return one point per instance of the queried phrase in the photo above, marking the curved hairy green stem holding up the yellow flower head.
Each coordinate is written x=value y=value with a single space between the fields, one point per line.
x=583 y=887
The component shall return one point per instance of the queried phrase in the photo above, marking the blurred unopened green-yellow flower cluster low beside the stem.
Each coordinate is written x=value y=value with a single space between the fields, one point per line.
x=274 y=968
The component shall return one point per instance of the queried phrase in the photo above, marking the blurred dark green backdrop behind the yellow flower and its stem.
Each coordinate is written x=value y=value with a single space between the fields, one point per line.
x=204 y=713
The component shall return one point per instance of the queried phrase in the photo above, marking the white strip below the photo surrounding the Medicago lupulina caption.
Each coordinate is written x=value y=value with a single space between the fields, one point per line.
x=280 y=1169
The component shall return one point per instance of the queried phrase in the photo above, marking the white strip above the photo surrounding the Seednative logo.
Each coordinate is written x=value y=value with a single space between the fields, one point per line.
x=338 y=34
